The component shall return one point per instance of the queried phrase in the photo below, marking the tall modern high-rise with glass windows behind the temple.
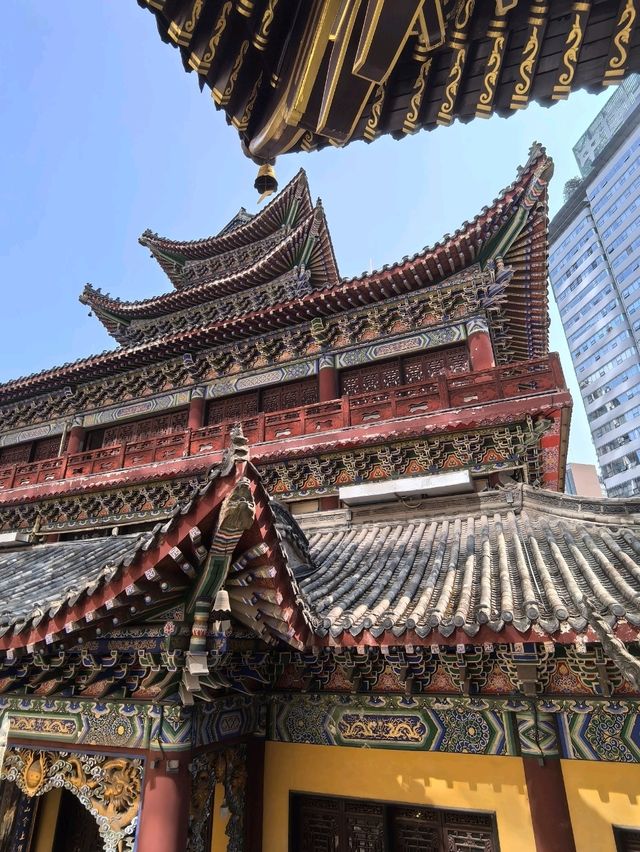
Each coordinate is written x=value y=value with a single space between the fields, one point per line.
x=595 y=274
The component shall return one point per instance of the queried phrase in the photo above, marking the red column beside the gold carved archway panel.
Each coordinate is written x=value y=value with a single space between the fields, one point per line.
x=164 y=818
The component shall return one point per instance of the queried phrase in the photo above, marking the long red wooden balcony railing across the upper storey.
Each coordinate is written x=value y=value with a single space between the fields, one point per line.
x=444 y=392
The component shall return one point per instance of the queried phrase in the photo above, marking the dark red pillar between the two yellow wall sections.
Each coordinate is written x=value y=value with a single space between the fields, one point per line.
x=548 y=803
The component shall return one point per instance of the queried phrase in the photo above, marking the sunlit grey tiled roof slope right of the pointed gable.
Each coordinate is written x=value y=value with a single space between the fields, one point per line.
x=518 y=557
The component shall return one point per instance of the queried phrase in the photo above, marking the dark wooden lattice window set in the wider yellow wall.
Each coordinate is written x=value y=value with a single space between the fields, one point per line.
x=323 y=824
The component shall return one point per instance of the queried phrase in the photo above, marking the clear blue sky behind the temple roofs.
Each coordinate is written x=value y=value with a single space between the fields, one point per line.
x=104 y=135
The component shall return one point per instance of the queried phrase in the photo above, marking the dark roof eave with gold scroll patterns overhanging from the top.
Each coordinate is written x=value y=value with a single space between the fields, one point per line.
x=301 y=76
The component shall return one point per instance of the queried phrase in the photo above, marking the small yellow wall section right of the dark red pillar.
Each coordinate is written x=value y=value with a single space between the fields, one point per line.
x=601 y=795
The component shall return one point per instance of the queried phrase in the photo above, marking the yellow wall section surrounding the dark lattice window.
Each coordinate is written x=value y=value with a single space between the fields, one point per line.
x=417 y=777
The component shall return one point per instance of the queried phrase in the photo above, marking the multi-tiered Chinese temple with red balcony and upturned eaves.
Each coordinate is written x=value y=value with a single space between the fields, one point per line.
x=290 y=568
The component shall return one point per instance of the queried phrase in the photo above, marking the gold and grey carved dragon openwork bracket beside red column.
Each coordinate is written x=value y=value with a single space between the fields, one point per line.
x=109 y=787
